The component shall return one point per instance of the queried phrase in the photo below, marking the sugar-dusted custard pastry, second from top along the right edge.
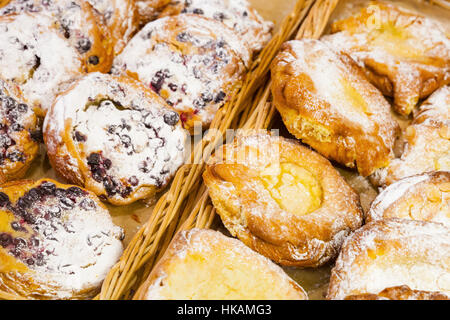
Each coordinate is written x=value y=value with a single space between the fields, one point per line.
x=427 y=142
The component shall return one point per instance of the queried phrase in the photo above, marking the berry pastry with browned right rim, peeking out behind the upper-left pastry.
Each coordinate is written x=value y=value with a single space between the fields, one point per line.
x=78 y=22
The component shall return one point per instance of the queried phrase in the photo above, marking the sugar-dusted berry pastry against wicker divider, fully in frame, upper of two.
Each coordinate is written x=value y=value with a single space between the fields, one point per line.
x=193 y=62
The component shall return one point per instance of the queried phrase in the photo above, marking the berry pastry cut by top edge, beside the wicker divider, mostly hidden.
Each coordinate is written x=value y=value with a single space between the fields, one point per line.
x=235 y=14
